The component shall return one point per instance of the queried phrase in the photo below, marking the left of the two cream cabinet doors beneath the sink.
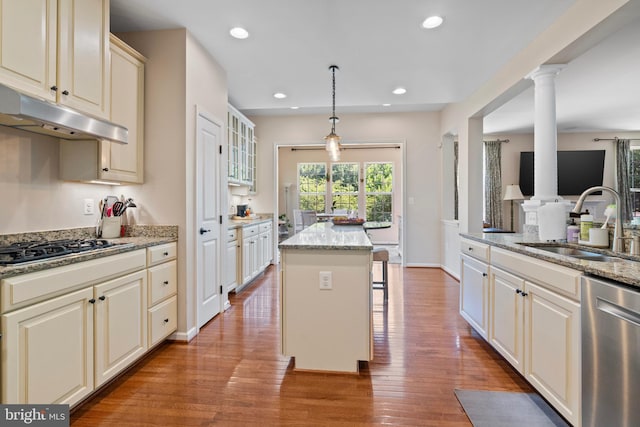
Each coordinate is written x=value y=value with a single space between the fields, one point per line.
x=507 y=317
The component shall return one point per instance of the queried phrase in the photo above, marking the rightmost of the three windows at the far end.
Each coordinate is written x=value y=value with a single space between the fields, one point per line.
x=378 y=181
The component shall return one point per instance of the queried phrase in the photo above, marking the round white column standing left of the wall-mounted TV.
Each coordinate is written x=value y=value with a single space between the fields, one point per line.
x=545 y=137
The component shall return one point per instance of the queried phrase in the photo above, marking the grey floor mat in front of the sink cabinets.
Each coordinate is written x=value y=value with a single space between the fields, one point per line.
x=507 y=409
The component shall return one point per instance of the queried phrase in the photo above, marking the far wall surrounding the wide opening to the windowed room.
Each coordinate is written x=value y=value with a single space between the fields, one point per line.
x=420 y=133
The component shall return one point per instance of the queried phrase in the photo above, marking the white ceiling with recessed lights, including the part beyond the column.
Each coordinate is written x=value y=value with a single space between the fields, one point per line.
x=380 y=44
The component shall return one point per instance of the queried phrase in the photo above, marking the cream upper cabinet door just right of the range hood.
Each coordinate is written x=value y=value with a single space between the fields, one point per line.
x=124 y=162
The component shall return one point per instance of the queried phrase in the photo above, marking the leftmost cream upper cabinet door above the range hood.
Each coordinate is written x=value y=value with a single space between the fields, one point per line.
x=28 y=31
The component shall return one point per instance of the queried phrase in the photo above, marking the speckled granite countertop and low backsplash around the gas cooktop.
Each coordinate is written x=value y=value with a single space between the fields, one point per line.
x=138 y=237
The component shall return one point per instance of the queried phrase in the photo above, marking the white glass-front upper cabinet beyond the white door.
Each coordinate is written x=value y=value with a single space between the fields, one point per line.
x=242 y=150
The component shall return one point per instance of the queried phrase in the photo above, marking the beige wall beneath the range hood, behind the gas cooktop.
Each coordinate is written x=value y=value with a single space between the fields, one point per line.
x=33 y=198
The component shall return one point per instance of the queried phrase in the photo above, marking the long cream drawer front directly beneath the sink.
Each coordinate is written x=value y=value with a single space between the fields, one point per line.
x=555 y=277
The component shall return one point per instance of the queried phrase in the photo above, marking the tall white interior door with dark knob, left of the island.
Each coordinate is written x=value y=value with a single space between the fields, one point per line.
x=209 y=280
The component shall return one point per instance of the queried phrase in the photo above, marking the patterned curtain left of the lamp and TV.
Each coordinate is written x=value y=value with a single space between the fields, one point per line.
x=493 y=183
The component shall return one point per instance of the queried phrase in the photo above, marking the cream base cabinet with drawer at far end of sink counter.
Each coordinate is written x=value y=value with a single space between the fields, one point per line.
x=474 y=285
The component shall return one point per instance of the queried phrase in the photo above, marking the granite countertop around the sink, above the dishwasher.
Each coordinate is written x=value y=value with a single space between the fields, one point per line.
x=625 y=269
